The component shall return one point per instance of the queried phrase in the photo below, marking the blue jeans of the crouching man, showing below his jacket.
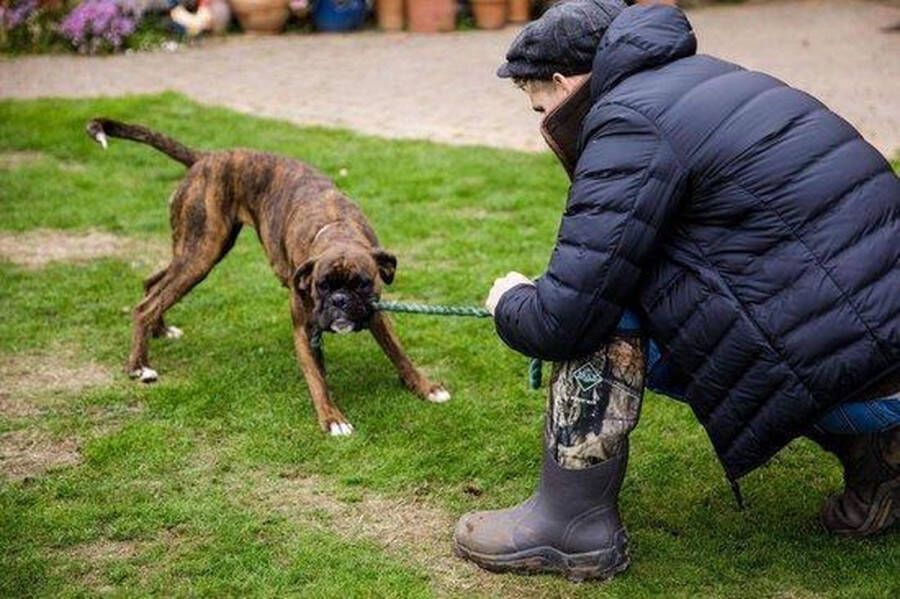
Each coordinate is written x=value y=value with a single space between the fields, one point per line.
x=864 y=417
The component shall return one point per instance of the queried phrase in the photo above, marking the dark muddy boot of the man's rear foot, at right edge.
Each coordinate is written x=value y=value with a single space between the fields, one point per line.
x=870 y=502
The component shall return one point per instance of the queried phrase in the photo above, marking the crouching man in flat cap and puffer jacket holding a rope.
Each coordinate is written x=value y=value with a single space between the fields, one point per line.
x=727 y=241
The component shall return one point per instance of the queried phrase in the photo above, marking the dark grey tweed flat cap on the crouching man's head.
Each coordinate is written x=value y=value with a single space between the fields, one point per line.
x=564 y=40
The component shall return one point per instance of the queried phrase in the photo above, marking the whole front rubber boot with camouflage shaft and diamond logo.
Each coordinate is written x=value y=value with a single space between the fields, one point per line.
x=571 y=525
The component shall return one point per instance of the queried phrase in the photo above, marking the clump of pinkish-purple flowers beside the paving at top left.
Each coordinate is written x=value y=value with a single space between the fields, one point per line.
x=100 y=25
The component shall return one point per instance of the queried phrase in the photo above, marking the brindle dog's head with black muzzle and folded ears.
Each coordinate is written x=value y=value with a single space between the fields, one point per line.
x=343 y=284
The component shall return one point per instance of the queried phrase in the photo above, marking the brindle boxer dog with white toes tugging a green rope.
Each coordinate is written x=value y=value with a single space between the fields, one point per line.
x=318 y=242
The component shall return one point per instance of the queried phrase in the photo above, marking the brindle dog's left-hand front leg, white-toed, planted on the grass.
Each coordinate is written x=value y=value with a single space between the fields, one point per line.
x=330 y=418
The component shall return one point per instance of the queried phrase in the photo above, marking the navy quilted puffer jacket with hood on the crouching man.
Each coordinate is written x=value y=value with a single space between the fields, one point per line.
x=754 y=230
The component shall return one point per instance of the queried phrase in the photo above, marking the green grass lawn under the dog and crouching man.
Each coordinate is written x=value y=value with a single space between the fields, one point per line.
x=172 y=493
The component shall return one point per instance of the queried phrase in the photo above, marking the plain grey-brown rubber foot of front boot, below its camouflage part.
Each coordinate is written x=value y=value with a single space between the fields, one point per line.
x=571 y=526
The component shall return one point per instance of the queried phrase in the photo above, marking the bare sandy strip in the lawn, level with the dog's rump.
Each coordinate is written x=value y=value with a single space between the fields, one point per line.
x=35 y=249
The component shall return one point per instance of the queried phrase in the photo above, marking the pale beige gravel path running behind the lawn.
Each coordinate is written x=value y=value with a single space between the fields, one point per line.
x=442 y=87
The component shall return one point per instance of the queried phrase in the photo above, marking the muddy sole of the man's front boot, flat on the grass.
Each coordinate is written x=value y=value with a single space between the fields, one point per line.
x=577 y=567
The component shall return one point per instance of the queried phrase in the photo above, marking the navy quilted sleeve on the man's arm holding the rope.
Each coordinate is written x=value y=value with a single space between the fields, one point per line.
x=625 y=191
